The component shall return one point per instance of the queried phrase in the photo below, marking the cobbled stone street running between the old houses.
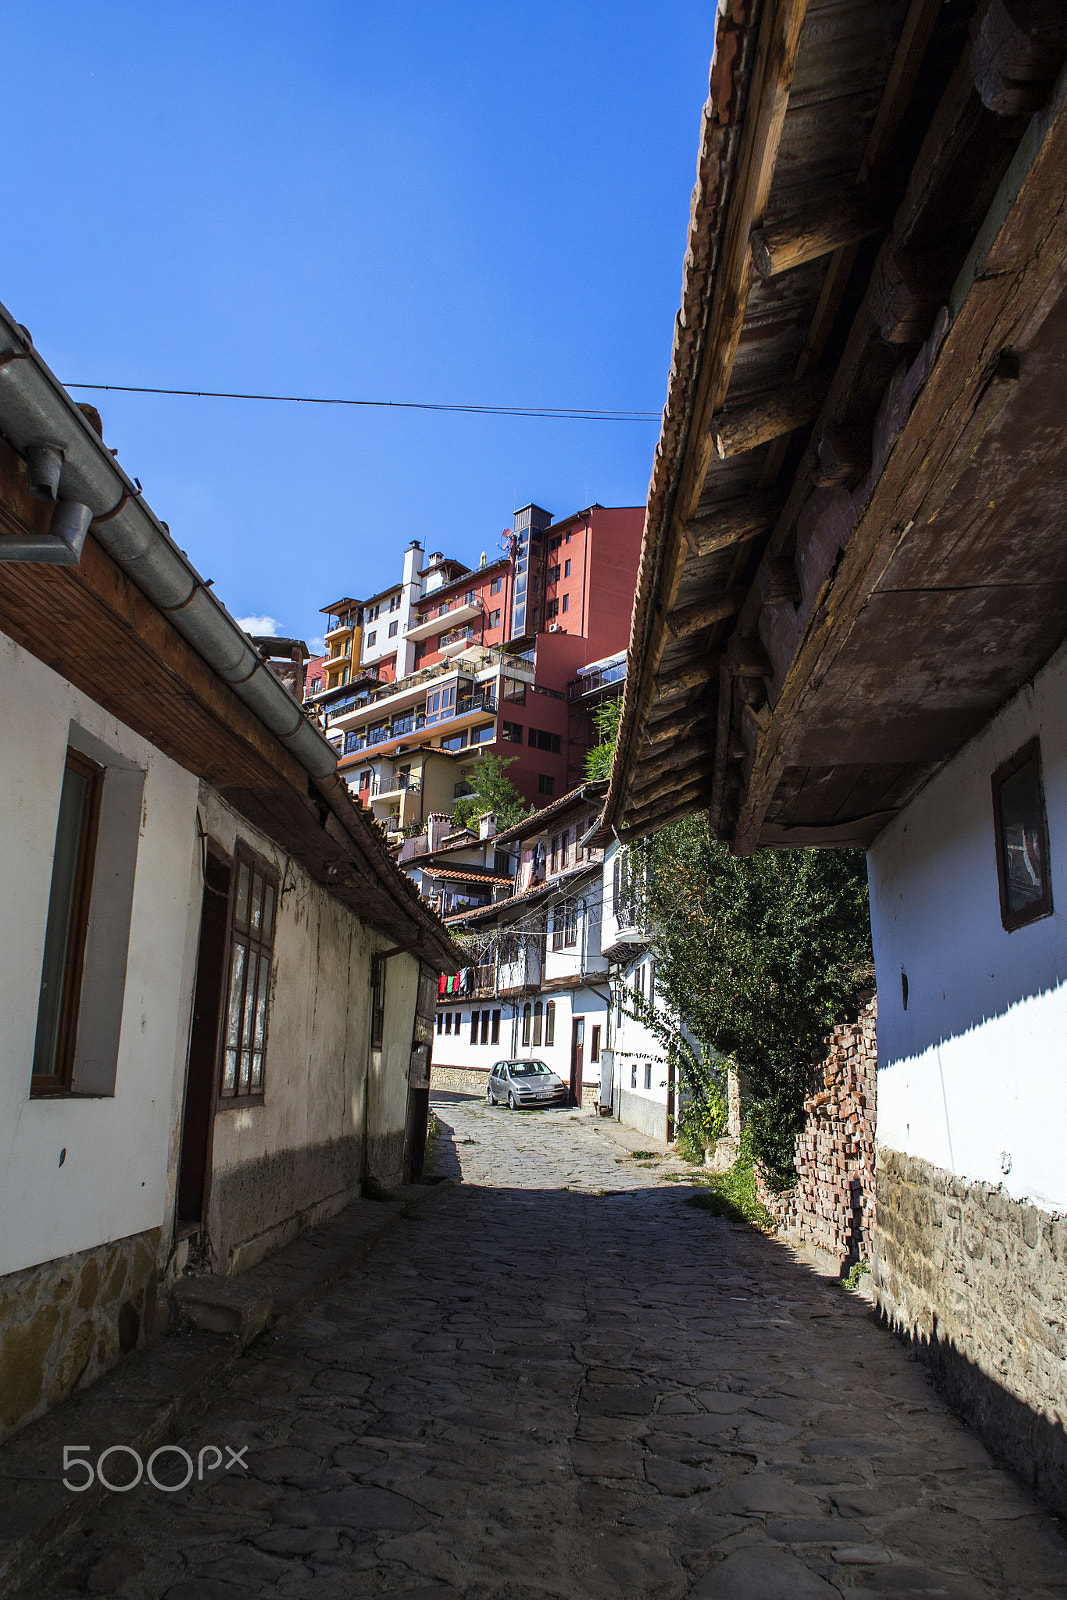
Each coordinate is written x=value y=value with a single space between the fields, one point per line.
x=559 y=1380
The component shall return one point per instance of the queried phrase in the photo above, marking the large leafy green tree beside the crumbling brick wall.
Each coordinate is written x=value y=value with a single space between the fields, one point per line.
x=761 y=956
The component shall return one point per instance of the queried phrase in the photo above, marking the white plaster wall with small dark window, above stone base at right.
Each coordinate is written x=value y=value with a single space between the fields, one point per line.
x=973 y=1076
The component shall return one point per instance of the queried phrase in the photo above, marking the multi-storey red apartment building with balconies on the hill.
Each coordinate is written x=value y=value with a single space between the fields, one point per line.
x=486 y=660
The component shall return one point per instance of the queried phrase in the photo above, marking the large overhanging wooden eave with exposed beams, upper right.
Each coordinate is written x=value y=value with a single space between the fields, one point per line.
x=828 y=602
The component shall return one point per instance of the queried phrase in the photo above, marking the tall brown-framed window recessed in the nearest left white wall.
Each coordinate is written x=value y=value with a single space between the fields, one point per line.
x=68 y=926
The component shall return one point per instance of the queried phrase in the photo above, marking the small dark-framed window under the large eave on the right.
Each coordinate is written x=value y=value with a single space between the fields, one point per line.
x=1021 y=828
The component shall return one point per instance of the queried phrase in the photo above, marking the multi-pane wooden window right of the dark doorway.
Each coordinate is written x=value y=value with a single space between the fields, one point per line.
x=252 y=946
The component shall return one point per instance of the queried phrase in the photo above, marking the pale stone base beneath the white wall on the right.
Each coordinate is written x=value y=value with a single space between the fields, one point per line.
x=980 y=1281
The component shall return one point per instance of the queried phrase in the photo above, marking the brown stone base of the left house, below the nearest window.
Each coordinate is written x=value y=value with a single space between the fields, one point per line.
x=66 y=1322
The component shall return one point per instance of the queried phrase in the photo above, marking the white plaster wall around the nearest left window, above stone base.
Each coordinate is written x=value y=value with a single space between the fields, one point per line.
x=114 y=1178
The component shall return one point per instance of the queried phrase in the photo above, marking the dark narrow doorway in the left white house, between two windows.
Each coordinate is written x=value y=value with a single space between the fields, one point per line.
x=204 y=1041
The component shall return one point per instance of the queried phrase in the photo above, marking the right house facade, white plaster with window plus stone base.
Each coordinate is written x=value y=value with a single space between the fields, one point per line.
x=969 y=897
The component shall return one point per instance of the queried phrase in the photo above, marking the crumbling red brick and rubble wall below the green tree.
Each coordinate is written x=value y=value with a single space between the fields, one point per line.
x=831 y=1212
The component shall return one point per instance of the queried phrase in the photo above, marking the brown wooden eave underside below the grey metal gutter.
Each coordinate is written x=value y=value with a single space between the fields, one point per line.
x=98 y=631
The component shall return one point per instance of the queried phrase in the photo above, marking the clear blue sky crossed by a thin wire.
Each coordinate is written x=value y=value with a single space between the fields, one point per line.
x=474 y=202
